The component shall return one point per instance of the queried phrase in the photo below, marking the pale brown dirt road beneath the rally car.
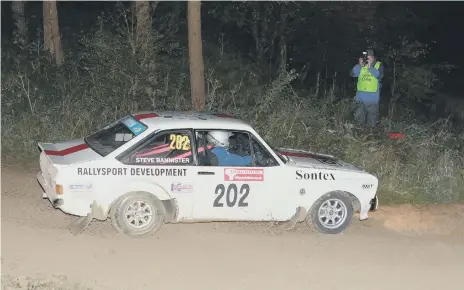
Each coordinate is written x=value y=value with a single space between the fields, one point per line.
x=397 y=248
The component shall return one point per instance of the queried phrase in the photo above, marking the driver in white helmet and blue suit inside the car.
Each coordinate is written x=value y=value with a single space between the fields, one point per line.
x=220 y=141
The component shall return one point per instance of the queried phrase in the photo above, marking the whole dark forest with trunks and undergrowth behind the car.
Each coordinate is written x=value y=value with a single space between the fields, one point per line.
x=69 y=68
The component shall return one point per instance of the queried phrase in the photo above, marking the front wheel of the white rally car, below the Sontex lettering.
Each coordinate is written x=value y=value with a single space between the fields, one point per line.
x=331 y=214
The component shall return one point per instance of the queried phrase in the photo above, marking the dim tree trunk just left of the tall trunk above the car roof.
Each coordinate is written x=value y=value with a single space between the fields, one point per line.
x=143 y=29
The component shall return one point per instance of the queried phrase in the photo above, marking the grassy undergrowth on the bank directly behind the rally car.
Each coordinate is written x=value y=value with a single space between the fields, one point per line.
x=105 y=80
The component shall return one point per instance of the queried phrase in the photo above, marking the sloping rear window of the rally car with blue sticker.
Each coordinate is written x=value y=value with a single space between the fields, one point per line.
x=114 y=135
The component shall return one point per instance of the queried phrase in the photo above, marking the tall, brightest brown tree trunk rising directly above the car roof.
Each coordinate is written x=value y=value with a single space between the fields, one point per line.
x=197 y=69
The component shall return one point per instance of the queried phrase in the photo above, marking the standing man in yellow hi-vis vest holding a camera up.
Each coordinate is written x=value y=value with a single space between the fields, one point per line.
x=369 y=72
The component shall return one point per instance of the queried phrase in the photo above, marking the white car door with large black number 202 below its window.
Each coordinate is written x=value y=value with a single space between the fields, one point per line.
x=233 y=191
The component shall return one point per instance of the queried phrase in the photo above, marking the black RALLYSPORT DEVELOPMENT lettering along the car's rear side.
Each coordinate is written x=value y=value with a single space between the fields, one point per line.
x=131 y=171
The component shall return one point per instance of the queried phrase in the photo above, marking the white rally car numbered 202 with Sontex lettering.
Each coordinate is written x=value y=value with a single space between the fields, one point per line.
x=150 y=168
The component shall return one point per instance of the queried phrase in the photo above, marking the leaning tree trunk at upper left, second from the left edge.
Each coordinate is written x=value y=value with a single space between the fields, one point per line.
x=52 y=38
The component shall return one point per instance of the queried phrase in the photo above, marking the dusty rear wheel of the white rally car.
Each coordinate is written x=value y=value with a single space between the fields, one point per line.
x=138 y=214
